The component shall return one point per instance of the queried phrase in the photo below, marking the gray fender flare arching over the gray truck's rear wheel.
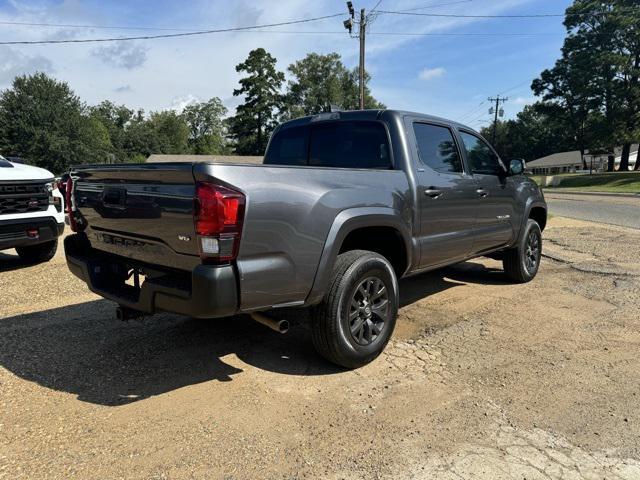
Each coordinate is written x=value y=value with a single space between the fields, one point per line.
x=346 y=222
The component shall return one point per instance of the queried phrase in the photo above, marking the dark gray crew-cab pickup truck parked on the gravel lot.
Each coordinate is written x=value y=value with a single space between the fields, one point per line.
x=344 y=205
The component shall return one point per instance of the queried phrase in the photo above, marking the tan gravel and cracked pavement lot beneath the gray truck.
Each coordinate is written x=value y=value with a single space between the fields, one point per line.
x=482 y=380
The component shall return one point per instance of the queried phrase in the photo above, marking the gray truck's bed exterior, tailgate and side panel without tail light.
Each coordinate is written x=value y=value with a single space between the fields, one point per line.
x=145 y=213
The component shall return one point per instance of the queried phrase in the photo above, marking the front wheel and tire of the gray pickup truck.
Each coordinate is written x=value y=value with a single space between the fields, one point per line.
x=521 y=263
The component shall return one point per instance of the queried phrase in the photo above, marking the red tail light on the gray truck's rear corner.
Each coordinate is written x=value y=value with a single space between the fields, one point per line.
x=219 y=212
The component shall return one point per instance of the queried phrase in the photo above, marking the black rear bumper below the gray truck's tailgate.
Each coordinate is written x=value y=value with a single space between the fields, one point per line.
x=206 y=292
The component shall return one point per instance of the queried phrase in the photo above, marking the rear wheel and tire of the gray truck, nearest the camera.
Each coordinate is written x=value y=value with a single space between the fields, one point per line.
x=355 y=320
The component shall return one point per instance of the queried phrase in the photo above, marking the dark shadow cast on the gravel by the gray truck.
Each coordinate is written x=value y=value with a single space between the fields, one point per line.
x=81 y=349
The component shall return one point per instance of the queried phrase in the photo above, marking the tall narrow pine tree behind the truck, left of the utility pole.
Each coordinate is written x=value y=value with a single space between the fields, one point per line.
x=256 y=117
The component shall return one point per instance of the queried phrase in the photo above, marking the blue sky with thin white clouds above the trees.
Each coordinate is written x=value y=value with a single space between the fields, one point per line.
x=432 y=72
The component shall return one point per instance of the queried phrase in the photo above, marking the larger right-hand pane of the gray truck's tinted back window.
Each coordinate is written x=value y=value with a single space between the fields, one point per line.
x=349 y=145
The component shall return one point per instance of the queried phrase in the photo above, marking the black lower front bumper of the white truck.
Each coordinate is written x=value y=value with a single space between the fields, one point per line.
x=13 y=233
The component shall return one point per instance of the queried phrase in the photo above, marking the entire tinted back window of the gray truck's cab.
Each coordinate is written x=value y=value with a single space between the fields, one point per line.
x=346 y=144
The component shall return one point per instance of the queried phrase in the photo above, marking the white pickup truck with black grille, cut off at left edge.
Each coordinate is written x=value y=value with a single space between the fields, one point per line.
x=31 y=211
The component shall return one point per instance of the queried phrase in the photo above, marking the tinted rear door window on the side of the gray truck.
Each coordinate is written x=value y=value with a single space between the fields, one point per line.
x=436 y=148
